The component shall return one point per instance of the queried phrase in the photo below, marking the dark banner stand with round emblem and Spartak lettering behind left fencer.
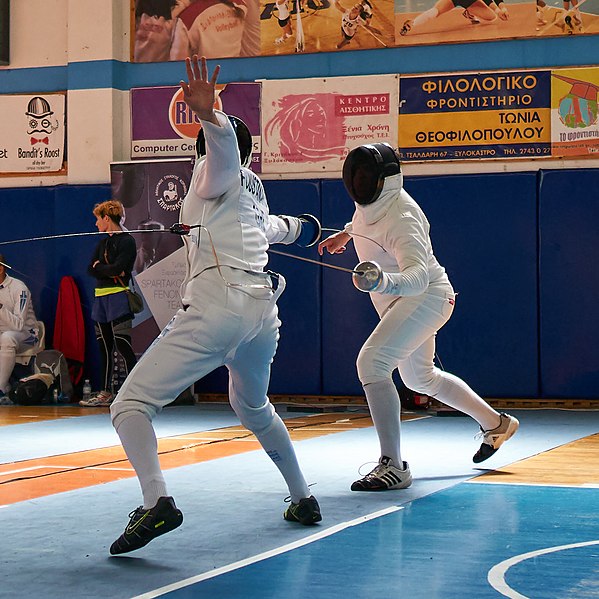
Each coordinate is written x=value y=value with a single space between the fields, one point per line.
x=152 y=193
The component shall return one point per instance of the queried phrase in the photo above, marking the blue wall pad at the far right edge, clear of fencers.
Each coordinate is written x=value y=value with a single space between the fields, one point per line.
x=569 y=283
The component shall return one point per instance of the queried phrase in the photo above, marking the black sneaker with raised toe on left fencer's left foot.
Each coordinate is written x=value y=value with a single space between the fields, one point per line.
x=146 y=525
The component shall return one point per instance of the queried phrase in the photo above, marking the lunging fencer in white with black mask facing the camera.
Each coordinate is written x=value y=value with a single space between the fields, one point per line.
x=413 y=297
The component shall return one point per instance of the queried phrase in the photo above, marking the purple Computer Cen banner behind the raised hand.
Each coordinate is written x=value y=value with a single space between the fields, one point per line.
x=162 y=126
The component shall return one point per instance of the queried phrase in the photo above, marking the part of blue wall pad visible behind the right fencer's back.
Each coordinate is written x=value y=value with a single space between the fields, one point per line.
x=484 y=232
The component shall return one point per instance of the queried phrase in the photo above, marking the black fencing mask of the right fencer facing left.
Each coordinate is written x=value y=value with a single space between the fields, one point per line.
x=365 y=169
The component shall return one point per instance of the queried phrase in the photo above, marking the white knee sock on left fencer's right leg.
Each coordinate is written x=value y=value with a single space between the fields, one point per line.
x=277 y=444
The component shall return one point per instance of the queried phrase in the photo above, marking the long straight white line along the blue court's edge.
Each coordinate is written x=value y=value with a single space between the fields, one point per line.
x=267 y=554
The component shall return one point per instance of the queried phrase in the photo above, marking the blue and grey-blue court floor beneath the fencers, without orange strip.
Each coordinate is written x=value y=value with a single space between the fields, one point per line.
x=448 y=536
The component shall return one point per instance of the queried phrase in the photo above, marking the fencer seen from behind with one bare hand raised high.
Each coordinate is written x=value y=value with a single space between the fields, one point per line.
x=229 y=315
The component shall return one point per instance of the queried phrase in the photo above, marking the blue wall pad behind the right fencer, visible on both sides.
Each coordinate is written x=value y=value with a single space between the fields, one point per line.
x=484 y=232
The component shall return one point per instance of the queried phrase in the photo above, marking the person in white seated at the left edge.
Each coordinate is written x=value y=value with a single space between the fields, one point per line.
x=18 y=325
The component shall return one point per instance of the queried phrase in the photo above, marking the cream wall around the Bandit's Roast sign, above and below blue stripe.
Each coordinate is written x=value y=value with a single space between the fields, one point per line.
x=49 y=33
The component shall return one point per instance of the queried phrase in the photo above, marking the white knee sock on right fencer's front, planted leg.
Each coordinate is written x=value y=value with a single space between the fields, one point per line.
x=385 y=409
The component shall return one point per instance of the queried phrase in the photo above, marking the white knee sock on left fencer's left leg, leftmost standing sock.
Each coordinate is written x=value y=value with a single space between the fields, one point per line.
x=140 y=444
